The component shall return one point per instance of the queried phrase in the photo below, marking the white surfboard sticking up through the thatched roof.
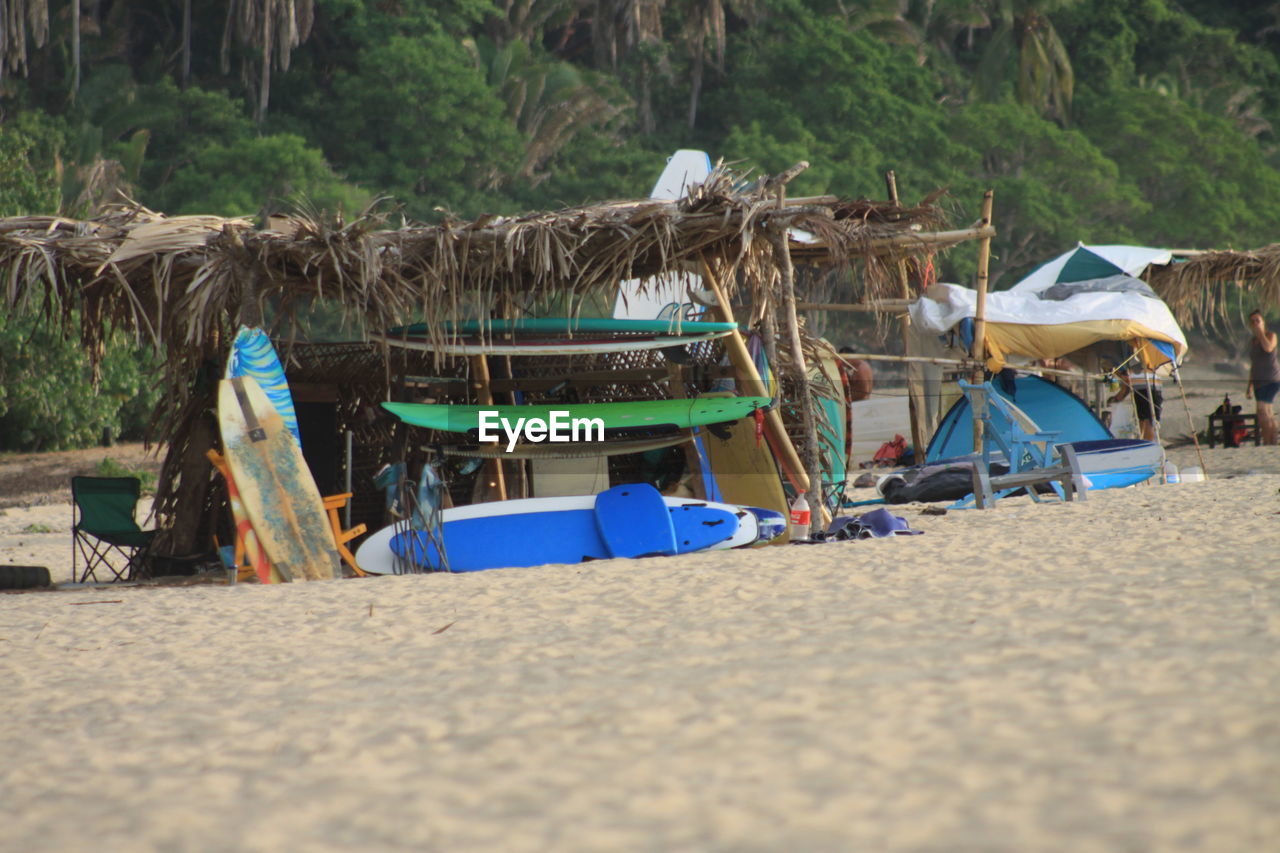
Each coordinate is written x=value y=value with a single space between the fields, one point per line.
x=668 y=295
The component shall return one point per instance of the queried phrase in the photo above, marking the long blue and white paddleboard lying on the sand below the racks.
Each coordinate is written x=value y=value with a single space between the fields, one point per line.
x=568 y=530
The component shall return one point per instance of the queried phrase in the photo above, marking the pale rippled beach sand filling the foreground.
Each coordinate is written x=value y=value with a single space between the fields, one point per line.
x=1086 y=677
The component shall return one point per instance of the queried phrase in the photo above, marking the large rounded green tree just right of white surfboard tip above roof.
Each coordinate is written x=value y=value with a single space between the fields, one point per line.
x=853 y=107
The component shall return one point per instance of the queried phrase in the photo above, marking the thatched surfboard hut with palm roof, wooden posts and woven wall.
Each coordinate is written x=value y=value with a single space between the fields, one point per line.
x=182 y=285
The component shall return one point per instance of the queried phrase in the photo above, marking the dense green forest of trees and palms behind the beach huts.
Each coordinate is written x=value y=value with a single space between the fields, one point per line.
x=1110 y=121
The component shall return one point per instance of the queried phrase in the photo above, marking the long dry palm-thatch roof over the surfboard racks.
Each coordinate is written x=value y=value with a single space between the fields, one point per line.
x=179 y=281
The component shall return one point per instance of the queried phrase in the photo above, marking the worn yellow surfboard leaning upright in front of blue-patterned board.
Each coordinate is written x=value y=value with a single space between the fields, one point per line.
x=278 y=494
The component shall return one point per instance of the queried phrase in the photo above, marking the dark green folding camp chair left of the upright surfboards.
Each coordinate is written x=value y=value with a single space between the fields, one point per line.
x=104 y=531
